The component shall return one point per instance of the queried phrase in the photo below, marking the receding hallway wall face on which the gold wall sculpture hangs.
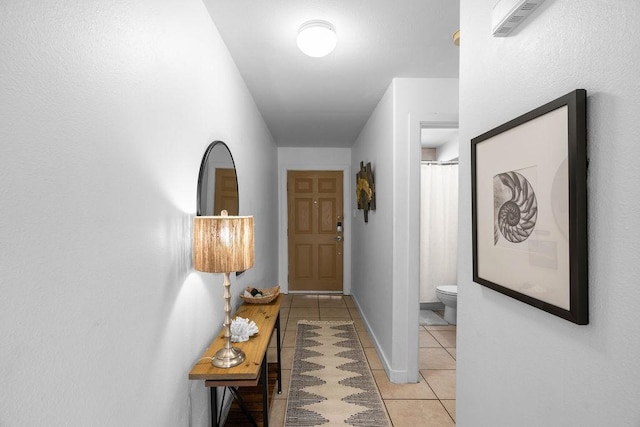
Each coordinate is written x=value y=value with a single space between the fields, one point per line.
x=371 y=258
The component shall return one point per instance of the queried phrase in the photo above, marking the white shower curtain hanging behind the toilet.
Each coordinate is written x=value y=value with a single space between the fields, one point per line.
x=438 y=228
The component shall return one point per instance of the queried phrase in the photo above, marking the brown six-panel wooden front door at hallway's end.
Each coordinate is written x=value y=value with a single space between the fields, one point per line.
x=314 y=200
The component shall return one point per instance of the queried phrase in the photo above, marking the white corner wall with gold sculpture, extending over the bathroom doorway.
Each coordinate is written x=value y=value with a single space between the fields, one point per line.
x=386 y=249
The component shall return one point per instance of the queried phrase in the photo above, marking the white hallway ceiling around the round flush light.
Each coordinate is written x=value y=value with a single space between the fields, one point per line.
x=325 y=102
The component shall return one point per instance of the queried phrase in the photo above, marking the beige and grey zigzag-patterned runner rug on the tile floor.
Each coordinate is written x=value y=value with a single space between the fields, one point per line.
x=331 y=383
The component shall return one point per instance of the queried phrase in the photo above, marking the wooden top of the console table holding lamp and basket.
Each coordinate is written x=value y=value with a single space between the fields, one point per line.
x=264 y=315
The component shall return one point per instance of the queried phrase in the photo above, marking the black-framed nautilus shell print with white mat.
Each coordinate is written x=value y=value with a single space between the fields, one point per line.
x=529 y=208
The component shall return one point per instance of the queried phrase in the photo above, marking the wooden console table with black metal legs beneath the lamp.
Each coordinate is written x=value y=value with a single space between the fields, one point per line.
x=249 y=372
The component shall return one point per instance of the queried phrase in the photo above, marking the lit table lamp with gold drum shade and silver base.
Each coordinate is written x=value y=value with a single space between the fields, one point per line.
x=224 y=244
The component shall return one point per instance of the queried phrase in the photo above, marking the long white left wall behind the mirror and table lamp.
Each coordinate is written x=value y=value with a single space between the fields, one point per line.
x=107 y=108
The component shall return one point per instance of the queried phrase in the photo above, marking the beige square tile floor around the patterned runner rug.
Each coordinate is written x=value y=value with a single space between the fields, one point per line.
x=431 y=402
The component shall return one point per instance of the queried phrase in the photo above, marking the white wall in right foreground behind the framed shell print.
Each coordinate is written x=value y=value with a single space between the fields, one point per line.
x=518 y=365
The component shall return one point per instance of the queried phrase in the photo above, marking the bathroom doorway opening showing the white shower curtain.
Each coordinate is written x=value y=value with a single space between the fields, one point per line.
x=438 y=216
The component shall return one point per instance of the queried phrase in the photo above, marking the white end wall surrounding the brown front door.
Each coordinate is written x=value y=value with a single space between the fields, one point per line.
x=336 y=159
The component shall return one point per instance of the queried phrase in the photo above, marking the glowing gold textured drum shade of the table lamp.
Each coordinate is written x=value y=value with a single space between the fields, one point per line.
x=223 y=244
